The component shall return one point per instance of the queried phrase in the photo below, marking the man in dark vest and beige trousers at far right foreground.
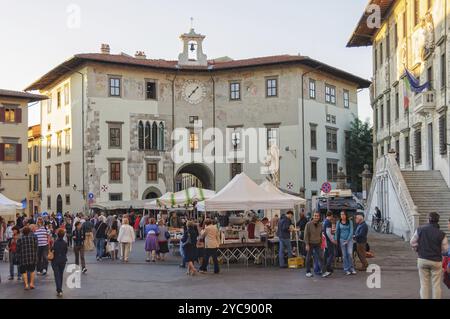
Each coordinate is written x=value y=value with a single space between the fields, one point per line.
x=430 y=243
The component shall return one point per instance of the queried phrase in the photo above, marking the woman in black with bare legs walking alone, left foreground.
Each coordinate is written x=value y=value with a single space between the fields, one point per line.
x=58 y=257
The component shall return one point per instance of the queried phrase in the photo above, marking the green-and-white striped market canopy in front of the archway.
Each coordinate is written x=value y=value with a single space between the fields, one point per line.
x=181 y=199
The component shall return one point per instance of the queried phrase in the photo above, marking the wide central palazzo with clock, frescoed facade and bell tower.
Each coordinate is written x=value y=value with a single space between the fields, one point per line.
x=130 y=105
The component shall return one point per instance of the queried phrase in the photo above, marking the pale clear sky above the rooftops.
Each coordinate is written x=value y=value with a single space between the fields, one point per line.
x=38 y=35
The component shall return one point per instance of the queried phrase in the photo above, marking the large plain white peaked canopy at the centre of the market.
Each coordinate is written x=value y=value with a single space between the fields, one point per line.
x=241 y=193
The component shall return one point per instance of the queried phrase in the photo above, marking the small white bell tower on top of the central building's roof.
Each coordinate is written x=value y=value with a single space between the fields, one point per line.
x=192 y=54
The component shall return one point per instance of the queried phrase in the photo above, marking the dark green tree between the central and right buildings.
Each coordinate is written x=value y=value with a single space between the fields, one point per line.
x=359 y=152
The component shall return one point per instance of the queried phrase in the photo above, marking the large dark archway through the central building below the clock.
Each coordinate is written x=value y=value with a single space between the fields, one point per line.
x=194 y=175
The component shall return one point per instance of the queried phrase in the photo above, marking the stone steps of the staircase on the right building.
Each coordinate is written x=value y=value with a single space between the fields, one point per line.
x=430 y=193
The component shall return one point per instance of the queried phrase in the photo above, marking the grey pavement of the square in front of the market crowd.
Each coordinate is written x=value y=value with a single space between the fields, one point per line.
x=138 y=279
